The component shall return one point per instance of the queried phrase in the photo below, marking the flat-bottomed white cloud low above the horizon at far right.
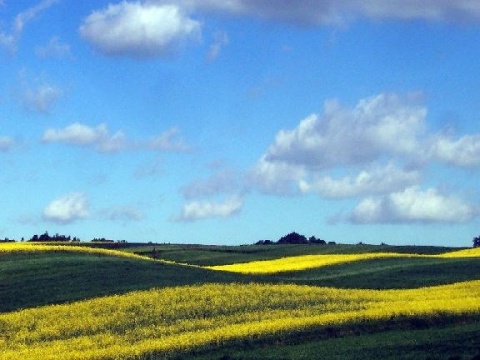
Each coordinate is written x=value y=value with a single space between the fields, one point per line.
x=413 y=205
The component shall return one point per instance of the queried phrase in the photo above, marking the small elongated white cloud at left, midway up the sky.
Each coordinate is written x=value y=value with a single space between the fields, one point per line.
x=83 y=135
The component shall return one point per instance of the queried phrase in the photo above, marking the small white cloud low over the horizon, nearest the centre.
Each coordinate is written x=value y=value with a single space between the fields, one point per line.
x=200 y=210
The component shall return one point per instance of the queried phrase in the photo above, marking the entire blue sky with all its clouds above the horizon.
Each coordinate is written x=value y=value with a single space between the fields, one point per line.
x=227 y=122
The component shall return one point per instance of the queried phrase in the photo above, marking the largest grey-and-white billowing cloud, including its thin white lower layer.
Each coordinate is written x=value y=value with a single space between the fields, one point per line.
x=385 y=127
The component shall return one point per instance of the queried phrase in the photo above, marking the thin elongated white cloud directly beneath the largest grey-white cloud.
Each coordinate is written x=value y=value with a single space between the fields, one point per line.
x=378 y=181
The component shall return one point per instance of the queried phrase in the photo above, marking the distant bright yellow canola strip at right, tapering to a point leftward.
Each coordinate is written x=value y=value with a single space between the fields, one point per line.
x=305 y=262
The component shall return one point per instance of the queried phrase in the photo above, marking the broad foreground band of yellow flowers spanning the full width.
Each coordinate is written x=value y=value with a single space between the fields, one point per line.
x=168 y=320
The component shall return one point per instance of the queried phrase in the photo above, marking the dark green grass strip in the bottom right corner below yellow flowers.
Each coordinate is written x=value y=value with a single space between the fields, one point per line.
x=448 y=342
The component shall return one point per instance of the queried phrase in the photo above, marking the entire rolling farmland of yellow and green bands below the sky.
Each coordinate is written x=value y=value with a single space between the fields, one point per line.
x=75 y=302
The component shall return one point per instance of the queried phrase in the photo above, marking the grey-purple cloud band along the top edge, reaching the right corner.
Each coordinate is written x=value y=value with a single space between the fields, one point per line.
x=326 y=12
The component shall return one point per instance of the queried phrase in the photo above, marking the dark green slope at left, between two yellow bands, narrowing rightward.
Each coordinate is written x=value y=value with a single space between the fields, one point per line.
x=39 y=278
